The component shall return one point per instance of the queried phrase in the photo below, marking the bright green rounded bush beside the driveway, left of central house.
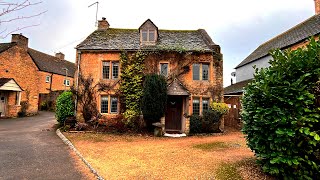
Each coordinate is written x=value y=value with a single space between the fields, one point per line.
x=64 y=107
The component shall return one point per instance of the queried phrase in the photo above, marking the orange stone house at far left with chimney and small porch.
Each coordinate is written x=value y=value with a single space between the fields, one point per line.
x=26 y=73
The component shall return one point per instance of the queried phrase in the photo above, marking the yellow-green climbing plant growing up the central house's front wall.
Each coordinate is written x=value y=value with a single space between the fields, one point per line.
x=132 y=67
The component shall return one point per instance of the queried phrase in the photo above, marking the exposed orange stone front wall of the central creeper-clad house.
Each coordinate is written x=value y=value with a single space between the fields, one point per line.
x=181 y=65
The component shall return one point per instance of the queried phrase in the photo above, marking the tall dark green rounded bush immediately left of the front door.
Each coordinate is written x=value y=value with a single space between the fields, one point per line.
x=154 y=98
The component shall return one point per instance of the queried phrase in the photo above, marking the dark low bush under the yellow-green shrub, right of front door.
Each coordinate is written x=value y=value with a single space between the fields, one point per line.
x=211 y=121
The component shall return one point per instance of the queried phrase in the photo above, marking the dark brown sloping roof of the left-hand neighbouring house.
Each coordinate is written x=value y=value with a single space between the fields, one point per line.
x=51 y=64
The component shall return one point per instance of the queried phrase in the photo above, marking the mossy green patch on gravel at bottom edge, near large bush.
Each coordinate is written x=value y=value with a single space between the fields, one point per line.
x=228 y=171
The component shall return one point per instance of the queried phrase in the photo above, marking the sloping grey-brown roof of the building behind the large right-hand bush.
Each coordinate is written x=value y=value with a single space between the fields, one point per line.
x=300 y=32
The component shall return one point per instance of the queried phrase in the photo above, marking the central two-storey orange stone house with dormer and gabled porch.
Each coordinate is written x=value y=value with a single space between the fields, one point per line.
x=189 y=59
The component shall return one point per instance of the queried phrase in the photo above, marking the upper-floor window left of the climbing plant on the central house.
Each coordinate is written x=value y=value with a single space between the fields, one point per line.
x=110 y=70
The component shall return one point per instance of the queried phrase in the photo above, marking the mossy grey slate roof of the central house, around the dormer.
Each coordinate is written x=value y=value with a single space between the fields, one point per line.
x=129 y=39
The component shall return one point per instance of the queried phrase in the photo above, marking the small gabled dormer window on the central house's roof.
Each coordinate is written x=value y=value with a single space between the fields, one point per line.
x=148 y=33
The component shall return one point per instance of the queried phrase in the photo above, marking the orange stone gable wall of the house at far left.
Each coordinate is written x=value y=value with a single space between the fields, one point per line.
x=17 y=64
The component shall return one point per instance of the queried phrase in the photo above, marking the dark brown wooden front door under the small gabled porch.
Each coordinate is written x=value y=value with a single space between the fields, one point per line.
x=174 y=113
